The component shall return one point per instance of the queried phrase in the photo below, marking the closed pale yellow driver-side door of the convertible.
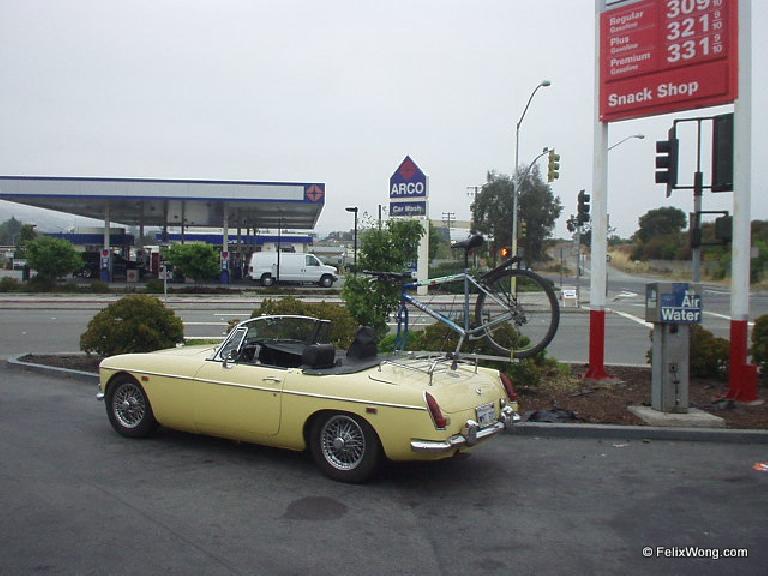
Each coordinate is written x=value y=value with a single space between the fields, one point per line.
x=238 y=400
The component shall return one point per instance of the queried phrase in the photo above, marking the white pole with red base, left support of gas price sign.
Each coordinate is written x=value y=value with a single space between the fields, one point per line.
x=598 y=280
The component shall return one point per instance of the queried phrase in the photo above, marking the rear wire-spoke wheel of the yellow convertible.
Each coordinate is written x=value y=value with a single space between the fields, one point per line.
x=345 y=447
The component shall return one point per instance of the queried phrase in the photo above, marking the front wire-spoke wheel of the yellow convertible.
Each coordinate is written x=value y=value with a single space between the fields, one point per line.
x=128 y=408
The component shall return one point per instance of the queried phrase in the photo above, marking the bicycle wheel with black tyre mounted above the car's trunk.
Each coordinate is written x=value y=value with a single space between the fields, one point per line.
x=520 y=323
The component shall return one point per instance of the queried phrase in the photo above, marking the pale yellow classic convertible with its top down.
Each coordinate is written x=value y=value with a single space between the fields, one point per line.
x=276 y=381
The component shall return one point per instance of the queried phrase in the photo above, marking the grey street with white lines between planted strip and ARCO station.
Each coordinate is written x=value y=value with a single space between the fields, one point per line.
x=54 y=324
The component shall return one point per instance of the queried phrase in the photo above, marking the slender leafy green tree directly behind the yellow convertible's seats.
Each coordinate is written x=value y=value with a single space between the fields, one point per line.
x=390 y=249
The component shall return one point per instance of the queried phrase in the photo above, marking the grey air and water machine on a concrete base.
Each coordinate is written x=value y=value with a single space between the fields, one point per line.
x=672 y=307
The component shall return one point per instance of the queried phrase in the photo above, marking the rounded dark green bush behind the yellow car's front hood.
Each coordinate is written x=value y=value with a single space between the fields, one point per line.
x=135 y=323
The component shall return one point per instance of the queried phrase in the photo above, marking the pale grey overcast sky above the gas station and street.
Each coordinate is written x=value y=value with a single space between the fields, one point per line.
x=336 y=92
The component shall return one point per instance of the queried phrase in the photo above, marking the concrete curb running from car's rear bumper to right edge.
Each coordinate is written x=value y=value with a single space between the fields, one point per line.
x=616 y=432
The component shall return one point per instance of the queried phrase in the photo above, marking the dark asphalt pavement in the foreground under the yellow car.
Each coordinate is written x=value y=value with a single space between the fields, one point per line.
x=79 y=499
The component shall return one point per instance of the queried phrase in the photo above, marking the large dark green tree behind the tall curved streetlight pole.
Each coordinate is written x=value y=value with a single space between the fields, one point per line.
x=538 y=209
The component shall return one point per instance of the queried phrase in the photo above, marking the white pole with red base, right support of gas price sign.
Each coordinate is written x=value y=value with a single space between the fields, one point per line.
x=742 y=377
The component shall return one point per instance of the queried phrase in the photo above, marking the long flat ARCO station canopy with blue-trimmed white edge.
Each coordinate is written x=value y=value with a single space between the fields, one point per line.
x=151 y=202
